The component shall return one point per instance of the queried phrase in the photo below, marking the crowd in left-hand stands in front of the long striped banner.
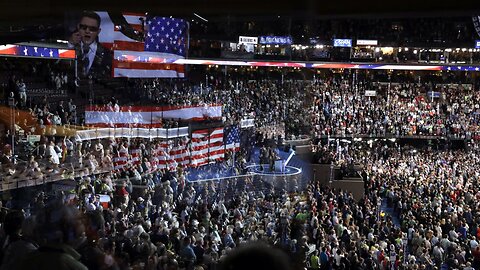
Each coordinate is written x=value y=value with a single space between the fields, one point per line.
x=139 y=161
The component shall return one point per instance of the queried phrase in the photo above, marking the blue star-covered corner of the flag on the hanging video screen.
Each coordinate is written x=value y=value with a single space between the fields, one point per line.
x=167 y=35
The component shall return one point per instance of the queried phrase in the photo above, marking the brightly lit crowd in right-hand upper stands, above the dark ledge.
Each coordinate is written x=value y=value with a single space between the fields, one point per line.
x=341 y=108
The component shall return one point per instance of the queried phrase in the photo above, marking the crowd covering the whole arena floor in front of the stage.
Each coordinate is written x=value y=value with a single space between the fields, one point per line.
x=174 y=224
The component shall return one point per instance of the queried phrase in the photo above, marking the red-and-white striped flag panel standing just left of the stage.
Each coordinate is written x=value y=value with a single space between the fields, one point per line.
x=207 y=146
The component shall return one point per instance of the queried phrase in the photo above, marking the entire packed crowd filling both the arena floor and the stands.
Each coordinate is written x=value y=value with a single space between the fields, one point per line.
x=140 y=215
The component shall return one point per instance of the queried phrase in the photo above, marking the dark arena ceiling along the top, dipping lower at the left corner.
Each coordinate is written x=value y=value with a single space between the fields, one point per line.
x=22 y=19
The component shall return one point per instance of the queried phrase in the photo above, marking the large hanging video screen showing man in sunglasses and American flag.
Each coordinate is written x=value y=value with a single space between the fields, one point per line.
x=127 y=45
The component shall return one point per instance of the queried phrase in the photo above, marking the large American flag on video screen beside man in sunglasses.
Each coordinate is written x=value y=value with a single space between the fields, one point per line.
x=132 y=58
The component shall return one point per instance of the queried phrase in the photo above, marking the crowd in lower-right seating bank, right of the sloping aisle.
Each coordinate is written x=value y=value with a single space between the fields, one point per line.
x=435 y=194
